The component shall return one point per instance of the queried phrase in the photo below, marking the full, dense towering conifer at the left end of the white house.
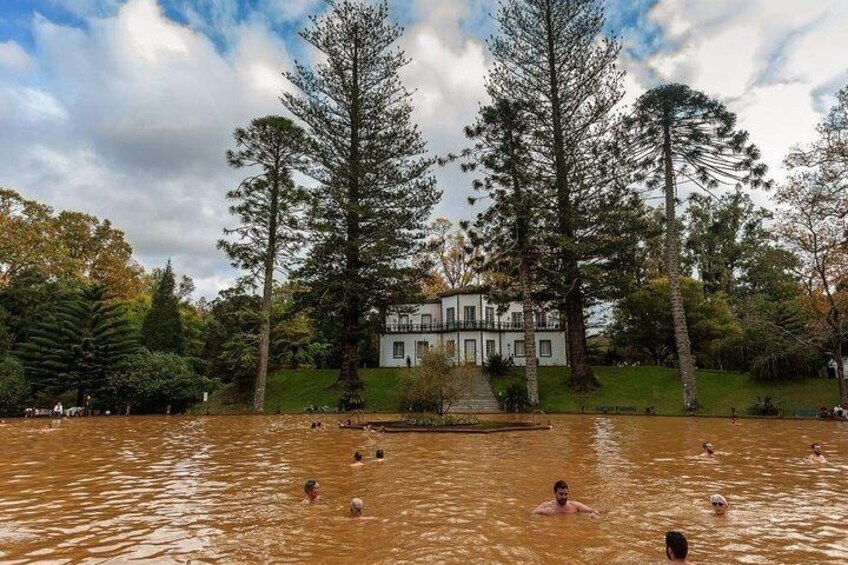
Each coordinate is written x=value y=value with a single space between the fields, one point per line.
x=375 y=191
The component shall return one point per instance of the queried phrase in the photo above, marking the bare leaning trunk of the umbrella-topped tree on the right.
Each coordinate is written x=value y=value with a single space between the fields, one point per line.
x=672 y=259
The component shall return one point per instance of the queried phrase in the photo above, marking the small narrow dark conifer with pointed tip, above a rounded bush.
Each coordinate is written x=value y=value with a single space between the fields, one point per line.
x=162 y=328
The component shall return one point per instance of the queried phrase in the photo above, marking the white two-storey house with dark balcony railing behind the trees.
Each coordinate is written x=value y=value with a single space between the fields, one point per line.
x=466 y=322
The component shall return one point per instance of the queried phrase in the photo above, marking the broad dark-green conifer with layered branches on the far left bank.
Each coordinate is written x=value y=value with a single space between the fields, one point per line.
x=80 y=345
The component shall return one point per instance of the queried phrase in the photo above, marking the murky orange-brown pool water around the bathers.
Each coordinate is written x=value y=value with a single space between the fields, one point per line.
x=229 y=489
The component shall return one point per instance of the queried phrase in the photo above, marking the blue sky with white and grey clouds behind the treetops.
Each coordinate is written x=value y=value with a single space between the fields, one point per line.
x=124 y=108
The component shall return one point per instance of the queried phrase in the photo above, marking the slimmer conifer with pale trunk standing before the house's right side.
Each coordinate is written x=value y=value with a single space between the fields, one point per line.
x=505 y=229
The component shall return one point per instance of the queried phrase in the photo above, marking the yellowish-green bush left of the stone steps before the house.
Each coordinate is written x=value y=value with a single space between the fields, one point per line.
x=436 y=384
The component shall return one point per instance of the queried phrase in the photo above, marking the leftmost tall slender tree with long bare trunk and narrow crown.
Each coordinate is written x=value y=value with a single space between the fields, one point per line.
x=269 y=207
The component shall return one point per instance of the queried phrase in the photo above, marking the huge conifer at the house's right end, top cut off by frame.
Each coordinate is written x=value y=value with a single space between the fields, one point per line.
x=552 y=54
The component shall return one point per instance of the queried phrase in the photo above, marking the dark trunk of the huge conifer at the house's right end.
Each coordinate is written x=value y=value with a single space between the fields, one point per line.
x=582 y=377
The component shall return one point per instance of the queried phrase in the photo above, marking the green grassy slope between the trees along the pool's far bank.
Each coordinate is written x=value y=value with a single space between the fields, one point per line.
x=291 y=391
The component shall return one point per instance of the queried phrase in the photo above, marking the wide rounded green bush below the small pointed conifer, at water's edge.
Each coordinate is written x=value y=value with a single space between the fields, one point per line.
x=152 y=381
